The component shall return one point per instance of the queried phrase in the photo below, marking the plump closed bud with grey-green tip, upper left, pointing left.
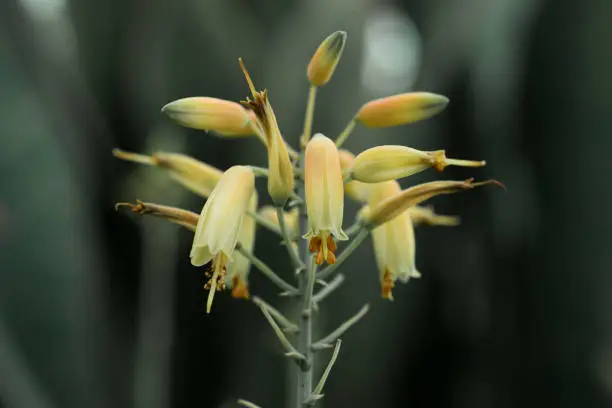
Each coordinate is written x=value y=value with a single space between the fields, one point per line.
x=206 y=113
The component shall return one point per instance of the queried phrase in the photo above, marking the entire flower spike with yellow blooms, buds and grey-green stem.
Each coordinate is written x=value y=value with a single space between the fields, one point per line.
x=307 y=188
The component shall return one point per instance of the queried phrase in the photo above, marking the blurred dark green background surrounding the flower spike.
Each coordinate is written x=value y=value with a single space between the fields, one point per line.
x=102 y=309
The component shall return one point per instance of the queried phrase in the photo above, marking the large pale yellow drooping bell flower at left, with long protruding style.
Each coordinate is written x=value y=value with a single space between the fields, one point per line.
x=220 y=223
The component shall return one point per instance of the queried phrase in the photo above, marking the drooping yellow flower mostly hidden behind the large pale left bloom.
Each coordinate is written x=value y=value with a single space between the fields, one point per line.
x=237 y=277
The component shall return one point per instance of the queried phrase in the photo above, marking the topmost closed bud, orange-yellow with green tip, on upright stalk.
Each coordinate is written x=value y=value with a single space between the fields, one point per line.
x=324 y=61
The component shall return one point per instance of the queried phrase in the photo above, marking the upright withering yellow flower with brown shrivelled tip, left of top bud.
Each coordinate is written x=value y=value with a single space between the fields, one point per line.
x=280 y=178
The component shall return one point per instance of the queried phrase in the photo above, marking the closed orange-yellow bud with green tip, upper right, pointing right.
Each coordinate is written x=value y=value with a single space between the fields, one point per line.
x=401 y=109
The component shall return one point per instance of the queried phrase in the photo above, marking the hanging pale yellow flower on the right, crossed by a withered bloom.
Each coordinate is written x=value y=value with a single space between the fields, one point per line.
x=394 y=243
